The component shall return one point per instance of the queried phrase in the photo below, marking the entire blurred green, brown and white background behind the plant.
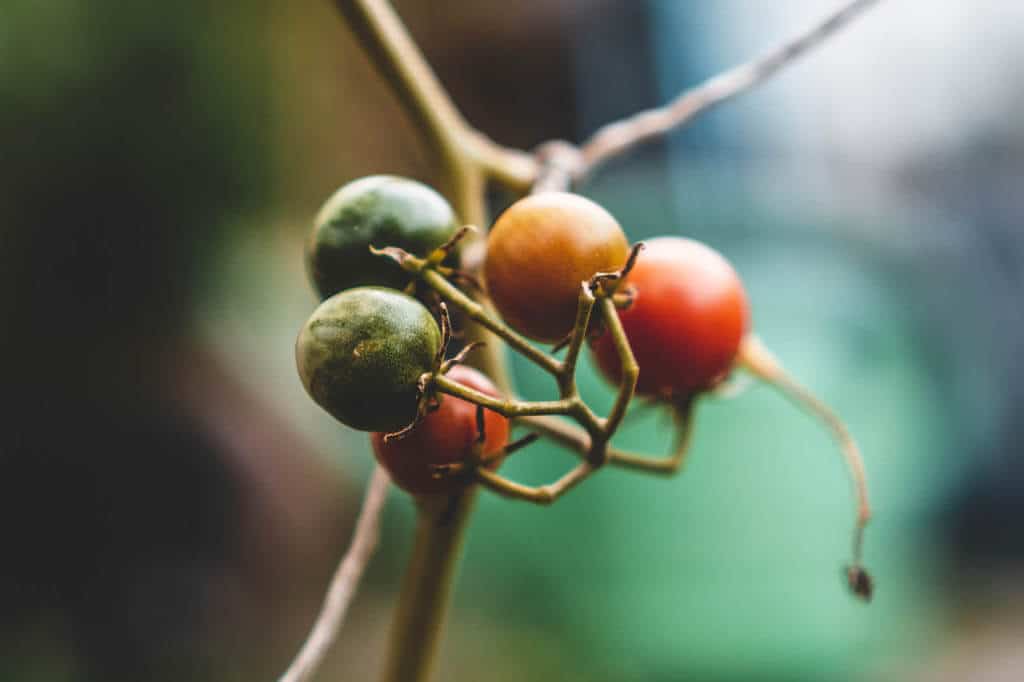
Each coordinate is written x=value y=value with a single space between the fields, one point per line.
x=173 y=504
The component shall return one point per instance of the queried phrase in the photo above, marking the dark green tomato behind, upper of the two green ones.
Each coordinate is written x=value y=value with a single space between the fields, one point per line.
x=379 y=211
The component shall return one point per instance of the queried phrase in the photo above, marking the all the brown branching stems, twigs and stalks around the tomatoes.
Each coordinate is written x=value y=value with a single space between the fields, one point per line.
x=467 y=161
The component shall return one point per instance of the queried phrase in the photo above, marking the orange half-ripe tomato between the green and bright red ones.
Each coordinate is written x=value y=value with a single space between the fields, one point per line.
x=540 y=251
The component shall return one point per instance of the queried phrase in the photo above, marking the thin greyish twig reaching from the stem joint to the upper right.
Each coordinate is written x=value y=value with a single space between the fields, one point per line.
x=618 y=138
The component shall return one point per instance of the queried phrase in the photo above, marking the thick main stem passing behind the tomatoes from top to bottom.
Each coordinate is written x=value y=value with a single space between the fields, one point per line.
x=466 y=160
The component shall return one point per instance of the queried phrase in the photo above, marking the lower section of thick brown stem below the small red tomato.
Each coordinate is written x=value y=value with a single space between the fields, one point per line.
x=428 y=587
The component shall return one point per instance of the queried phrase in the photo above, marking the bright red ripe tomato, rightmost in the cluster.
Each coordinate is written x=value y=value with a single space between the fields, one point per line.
x=689 y=317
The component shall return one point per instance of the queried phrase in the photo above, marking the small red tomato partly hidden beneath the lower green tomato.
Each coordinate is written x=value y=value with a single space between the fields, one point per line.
x=445 y=437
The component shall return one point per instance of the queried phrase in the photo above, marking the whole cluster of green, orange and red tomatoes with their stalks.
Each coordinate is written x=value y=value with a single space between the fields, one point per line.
x=667 y=321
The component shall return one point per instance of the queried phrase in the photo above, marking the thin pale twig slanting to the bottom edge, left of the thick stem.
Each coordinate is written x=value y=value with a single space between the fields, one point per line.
x=345 y=583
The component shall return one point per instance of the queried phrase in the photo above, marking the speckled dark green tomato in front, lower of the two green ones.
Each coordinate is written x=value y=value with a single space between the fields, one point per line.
x=361 y=354
